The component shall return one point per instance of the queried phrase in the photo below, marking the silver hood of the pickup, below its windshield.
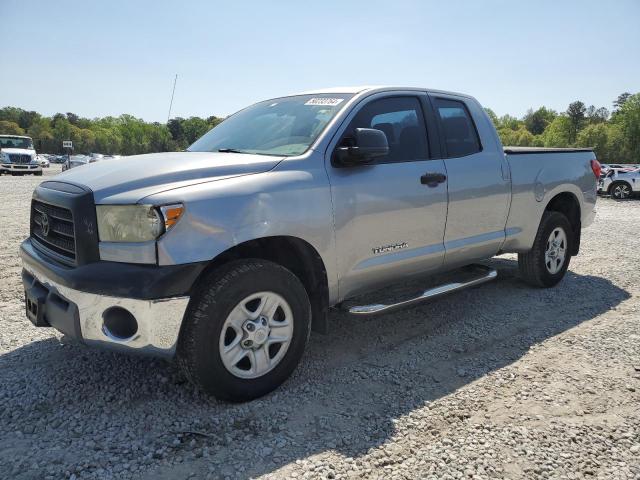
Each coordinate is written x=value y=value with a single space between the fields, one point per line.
x=130 y=179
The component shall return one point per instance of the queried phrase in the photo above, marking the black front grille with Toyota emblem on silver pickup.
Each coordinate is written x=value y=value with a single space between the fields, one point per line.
x=52 y=227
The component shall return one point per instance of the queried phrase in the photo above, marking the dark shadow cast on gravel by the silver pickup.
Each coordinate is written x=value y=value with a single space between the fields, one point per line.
x=352 y=387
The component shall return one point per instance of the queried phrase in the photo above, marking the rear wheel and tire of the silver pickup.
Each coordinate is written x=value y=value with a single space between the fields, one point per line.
x=538 y=269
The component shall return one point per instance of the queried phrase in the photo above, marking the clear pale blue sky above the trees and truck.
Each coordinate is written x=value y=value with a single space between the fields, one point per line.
x=114 y=56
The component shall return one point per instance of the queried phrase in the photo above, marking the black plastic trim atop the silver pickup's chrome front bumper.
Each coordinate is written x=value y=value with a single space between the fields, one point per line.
x=141 y=282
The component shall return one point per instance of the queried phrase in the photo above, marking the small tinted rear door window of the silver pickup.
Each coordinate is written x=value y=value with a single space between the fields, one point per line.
x=460 y=135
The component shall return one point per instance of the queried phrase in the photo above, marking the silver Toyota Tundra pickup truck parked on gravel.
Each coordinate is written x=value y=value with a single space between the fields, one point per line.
x=226 y=256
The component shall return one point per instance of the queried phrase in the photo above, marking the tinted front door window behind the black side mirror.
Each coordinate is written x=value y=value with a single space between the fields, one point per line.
x=401 y=120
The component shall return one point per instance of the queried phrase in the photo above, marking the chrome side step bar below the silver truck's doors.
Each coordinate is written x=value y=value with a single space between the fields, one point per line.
x=474 y=275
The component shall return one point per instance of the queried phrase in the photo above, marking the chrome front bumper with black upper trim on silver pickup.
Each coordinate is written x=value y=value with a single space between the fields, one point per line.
x=53 y=299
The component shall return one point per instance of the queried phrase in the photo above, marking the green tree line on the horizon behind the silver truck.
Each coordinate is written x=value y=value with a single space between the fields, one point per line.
x=615 y=135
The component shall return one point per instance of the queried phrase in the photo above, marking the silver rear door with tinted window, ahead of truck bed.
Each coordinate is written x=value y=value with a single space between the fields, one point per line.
x=479 y=186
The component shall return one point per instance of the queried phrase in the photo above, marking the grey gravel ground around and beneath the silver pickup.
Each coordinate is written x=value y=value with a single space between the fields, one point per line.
x=501 y=381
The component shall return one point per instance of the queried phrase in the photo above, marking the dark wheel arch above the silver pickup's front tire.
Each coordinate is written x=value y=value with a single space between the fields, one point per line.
x=293 y=253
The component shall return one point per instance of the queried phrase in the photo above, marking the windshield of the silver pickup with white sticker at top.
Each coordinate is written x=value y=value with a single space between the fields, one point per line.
x=283 y=126
